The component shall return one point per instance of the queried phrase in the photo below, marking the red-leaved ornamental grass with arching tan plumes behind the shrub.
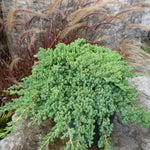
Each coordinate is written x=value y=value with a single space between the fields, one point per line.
x=61 y=23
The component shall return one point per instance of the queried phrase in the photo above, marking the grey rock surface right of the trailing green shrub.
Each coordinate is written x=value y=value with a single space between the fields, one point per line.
x=131 y=136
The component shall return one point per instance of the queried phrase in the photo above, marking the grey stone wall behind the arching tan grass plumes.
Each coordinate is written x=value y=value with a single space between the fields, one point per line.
x=142 y=18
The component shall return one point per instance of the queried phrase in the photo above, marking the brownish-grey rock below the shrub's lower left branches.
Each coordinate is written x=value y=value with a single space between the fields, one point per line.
x=30 y=138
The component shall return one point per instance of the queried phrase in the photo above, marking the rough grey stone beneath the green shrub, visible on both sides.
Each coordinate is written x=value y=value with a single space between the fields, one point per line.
x=124 y=137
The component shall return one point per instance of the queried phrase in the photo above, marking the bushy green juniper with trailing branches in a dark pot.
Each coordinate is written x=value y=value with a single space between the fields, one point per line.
x=80 y=84
